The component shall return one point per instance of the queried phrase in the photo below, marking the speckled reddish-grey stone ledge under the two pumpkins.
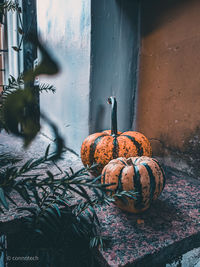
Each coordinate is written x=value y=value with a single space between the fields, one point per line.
x=169 y=228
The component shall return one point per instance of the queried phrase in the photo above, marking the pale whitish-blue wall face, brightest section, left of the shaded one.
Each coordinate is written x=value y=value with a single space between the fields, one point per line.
x=64 y=26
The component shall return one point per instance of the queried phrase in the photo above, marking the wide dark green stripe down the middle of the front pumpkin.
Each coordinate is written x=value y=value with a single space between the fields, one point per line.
x=138 y=188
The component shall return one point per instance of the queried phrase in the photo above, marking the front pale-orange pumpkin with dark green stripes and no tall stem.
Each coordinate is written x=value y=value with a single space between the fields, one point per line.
x=143 y=175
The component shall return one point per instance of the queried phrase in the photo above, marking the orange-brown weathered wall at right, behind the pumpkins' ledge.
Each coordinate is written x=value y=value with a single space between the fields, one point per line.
x=169 y=89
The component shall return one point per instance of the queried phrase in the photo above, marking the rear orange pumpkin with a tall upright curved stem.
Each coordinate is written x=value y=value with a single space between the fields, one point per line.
x=100 y=148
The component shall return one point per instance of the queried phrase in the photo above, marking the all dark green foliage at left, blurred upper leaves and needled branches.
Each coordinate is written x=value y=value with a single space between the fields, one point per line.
x=64 y=204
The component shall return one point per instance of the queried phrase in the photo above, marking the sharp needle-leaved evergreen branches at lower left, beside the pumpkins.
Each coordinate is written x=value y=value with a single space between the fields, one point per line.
x=54 y=197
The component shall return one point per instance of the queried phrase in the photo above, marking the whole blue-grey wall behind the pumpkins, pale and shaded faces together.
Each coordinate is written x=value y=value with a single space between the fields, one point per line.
x=97 y=45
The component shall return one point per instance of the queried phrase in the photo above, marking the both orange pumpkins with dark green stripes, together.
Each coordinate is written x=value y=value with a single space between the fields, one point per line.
x=125 y=160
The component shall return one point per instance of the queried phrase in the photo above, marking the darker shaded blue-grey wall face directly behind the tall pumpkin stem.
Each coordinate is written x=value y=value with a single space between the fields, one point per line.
x=115 y=41
